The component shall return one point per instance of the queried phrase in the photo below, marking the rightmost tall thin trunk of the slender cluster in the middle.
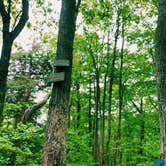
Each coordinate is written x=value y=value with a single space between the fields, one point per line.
x=118 y=139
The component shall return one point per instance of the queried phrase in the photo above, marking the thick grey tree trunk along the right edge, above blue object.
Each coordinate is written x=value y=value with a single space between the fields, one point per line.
x=161 y=73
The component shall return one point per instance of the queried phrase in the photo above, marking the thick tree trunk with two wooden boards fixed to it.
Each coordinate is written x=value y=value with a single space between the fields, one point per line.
x=55 y=145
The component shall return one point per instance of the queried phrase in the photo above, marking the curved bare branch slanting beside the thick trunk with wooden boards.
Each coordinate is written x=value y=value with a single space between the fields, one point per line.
x=30 y=110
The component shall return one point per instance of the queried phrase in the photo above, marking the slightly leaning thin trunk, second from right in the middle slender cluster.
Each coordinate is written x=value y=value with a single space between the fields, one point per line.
x=111 y=81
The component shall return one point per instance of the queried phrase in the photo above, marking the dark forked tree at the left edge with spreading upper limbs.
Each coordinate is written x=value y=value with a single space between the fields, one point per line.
x=9 y=33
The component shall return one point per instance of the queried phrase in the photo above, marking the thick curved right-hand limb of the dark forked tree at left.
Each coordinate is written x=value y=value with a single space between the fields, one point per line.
x=23 y=19
